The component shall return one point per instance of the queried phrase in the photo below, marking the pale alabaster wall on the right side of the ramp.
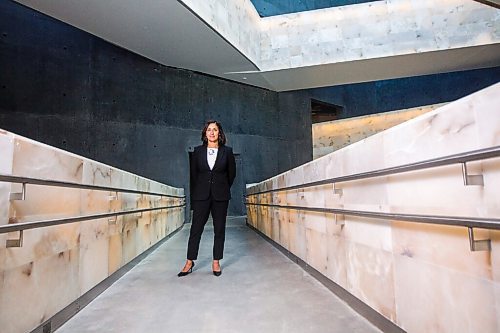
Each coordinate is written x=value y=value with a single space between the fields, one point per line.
x=423 y=277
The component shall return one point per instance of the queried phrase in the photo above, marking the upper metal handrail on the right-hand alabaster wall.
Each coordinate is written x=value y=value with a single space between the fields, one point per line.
x=480 y=154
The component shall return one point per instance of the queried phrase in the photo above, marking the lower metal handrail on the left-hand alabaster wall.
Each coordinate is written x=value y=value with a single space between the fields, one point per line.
x=46 y=223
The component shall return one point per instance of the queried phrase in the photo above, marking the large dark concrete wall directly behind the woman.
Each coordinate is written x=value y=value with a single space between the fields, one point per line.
x=69 y=89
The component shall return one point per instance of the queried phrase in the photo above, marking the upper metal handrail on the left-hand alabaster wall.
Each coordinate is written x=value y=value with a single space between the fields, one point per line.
x=48 y=182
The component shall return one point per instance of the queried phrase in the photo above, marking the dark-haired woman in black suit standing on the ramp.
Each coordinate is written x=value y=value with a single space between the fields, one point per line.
x=213 y=170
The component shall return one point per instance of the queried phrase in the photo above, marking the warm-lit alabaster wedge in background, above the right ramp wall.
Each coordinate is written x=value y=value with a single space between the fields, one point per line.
x=329 y=136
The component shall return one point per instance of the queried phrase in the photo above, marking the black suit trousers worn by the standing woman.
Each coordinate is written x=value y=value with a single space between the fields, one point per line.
x=201 y=211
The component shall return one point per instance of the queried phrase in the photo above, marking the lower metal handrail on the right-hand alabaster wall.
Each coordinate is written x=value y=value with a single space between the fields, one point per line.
x=471 y=222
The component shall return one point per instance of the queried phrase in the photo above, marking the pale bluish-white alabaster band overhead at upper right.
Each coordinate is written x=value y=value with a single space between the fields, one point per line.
x=374 y=30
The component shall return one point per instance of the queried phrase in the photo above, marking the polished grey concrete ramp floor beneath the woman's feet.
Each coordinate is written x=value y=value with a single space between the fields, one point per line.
x=260 y=290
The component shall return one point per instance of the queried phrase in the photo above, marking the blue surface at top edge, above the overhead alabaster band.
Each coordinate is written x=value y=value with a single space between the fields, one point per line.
x=279 y=7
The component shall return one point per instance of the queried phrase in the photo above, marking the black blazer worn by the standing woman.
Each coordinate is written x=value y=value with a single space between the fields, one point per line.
x=217 y=181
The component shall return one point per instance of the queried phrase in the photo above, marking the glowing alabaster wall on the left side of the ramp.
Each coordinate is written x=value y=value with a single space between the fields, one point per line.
x=58 y=264
